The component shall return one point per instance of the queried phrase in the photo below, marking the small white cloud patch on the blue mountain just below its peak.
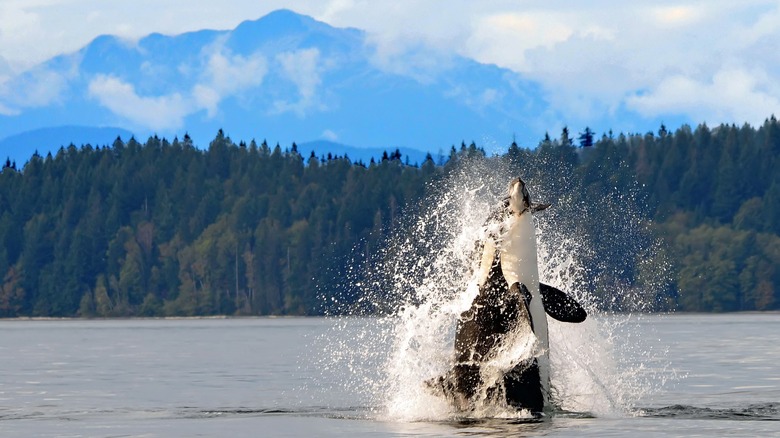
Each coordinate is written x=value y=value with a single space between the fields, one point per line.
x=301 y=67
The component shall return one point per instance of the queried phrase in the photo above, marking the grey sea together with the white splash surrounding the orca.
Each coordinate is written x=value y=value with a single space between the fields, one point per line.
x=613 y=375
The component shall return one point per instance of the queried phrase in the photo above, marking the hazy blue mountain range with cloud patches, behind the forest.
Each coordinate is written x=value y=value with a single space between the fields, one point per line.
x=285 y=77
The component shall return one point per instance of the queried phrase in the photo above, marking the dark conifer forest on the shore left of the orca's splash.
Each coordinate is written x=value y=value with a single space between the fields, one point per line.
x=168 y=229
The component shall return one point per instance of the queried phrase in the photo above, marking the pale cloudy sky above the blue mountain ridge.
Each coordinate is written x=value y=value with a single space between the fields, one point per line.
x=715 y=60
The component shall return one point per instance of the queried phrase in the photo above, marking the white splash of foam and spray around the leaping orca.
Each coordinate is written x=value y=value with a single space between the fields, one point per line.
x=423 y=276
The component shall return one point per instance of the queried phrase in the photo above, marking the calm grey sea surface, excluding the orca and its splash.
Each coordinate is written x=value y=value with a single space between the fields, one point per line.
x=711 y=375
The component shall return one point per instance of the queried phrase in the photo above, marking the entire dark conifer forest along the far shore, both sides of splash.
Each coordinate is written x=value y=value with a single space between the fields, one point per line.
x=168 y=229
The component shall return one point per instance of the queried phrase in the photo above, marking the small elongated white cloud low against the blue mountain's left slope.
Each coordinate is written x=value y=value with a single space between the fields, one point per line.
x=157 y=113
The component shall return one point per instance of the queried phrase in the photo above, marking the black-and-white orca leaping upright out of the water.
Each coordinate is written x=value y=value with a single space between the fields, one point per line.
x=511 y=300
